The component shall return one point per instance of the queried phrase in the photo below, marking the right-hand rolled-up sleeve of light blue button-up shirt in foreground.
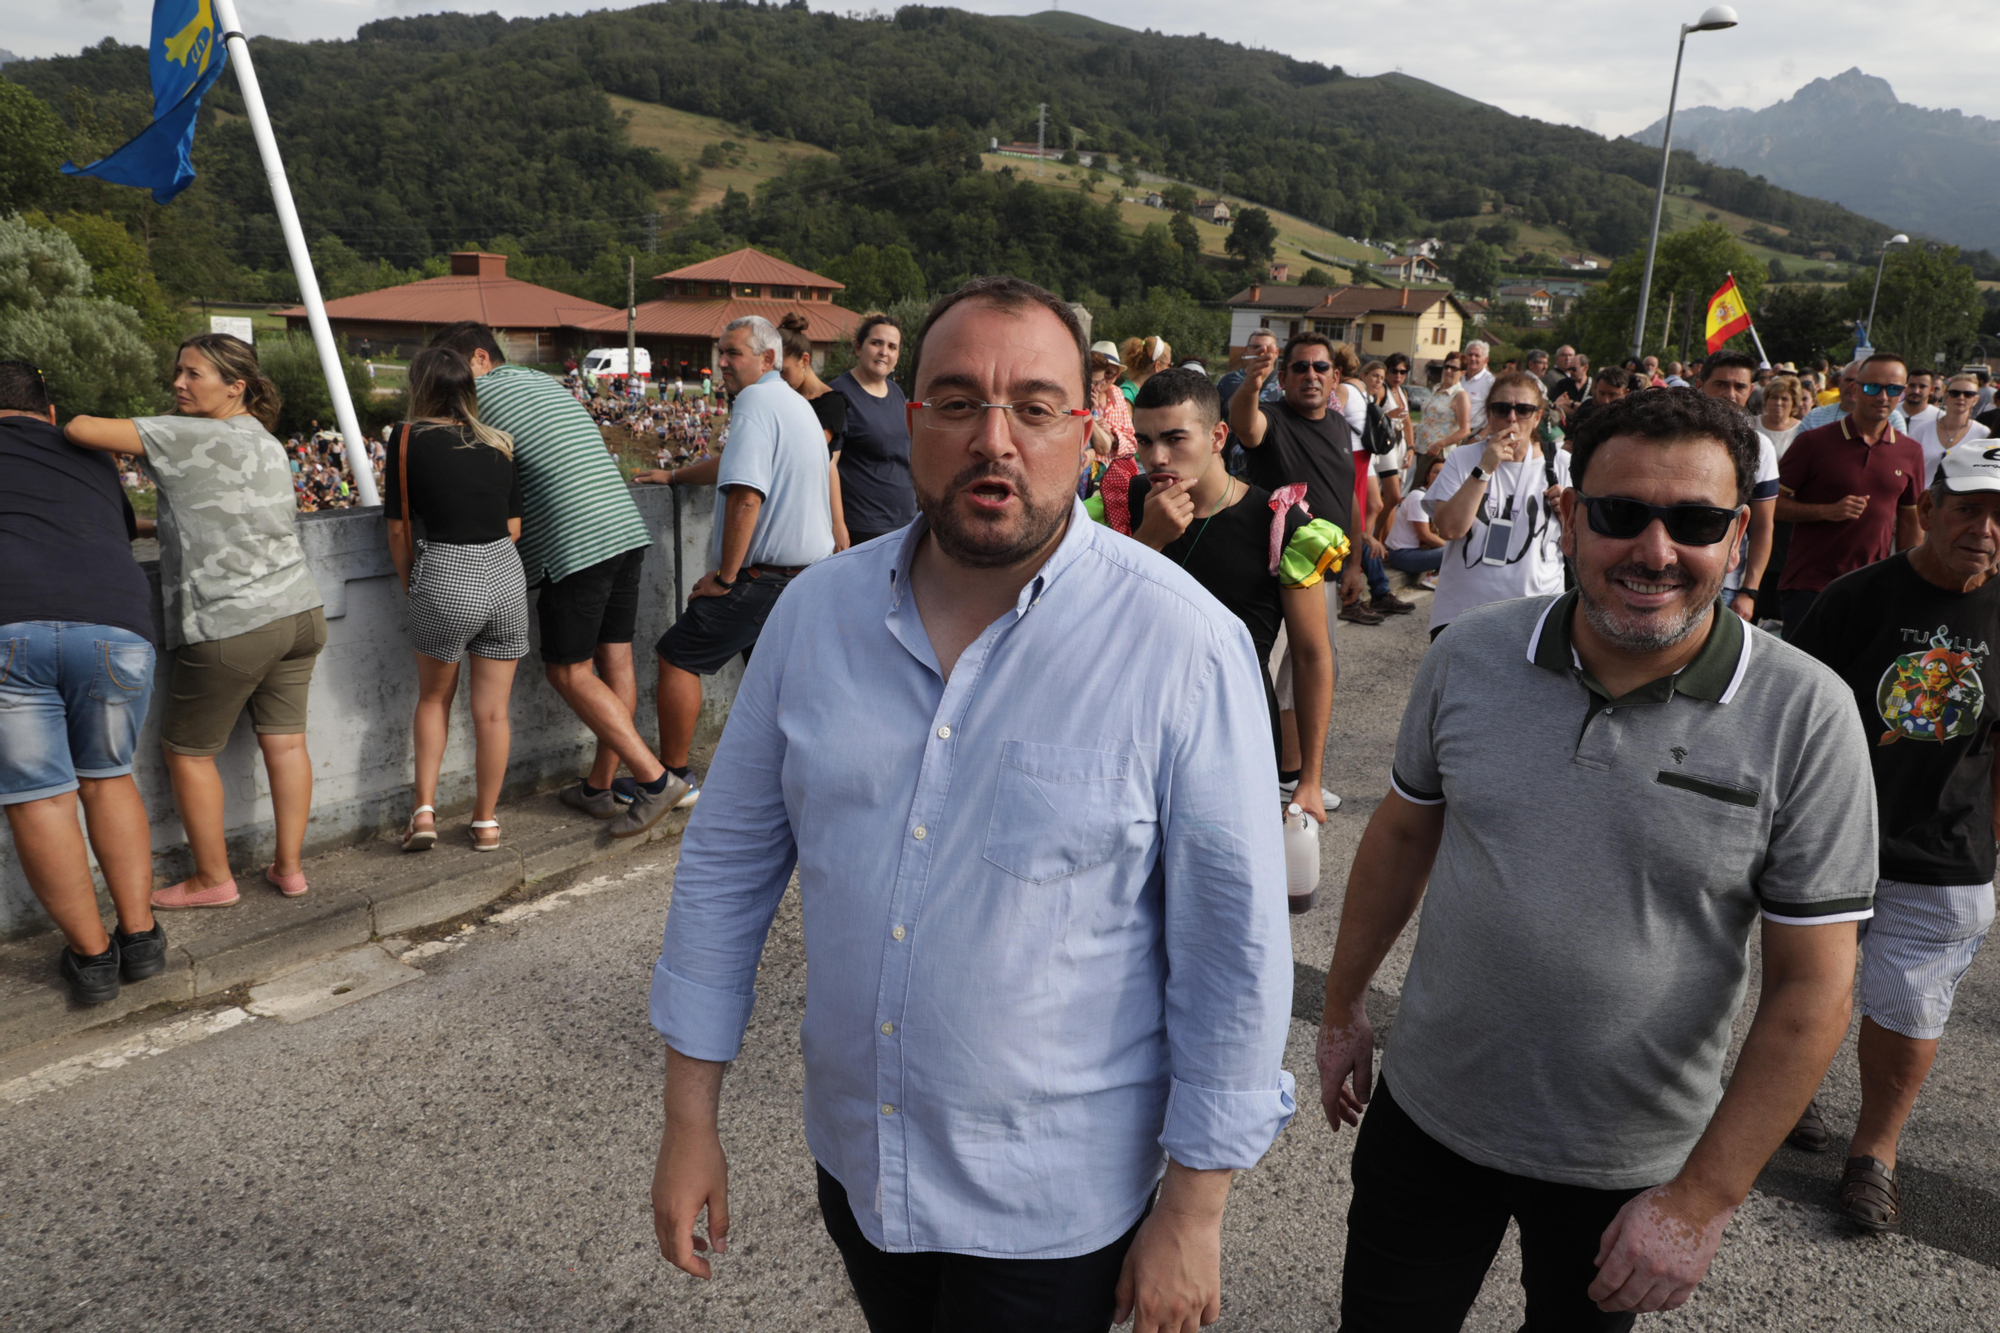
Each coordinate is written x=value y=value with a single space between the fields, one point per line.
x=1229 y=940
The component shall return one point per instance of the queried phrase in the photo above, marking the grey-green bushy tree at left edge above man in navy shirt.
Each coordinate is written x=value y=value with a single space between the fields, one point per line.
x=91 y=349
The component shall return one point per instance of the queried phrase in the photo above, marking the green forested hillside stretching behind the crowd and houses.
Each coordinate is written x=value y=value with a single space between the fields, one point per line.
x=441 y=131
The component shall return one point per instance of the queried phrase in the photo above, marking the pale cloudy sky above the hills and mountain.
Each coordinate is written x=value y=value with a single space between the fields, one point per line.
x=1603 y=67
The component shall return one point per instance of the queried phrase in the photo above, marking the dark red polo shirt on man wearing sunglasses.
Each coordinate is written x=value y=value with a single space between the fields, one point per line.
x=1829 y=465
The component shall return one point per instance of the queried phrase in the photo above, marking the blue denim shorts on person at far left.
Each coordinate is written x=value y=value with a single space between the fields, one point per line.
x=73 y=700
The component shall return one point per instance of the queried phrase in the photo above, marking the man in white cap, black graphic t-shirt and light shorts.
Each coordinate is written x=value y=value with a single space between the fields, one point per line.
x=1913 y=635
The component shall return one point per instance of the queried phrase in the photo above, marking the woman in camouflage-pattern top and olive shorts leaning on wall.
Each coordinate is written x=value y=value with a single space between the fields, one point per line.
x=243 y=615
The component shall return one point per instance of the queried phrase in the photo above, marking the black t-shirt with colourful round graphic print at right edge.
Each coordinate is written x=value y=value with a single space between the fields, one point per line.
x=1917 y=659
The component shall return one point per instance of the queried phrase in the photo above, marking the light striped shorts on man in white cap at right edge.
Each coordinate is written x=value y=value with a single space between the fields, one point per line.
x=1915 y=950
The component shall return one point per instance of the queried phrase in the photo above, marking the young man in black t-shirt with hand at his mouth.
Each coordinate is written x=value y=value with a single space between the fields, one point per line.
x=1221 y=531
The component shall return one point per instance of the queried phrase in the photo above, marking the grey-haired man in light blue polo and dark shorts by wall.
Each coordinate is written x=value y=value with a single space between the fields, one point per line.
x=775 y=517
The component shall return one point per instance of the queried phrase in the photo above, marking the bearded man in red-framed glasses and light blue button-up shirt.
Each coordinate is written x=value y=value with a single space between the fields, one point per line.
x=1045 y=904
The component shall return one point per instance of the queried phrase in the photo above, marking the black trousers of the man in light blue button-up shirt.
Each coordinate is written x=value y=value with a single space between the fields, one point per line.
x=965 y=1294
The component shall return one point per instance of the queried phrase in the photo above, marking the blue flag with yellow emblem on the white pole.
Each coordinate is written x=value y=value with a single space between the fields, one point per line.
x=187 y=57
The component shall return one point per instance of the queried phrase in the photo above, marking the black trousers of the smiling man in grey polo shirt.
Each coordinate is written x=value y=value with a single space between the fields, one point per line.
x=1427 y=1226
